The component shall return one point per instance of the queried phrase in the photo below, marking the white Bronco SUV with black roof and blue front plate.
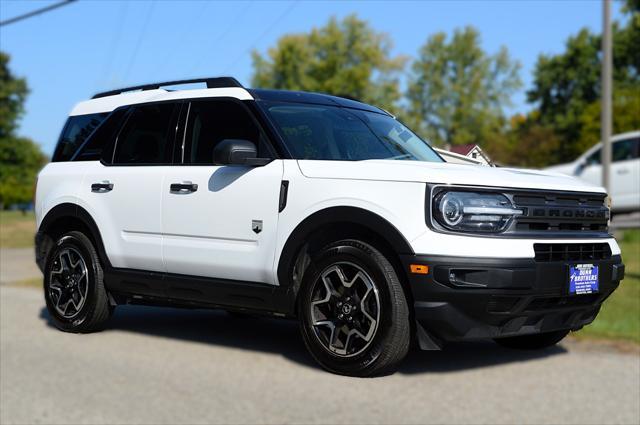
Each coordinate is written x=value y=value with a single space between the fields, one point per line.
x=312 y=207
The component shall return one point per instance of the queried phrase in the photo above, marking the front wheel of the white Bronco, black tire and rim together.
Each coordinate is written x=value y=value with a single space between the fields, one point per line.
x=374 y=305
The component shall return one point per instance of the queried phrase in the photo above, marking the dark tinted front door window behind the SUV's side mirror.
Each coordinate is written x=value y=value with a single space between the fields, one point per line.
x=210 y=122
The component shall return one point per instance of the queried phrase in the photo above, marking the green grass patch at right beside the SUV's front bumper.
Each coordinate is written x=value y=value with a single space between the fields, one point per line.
x=619 y=317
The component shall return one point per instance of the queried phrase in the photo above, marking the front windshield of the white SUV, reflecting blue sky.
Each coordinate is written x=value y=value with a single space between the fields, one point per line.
x=334 y=133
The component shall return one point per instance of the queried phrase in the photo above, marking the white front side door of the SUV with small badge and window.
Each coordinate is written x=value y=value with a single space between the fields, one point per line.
x=221 y=221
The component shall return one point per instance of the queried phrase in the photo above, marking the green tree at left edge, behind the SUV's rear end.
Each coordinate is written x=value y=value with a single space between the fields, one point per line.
x=20 y=158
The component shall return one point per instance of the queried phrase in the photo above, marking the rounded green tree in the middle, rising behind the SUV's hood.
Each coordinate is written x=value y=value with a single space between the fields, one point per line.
x=457 y=91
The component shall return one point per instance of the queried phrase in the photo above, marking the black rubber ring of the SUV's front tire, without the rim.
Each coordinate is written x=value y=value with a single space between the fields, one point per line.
x=367 y=261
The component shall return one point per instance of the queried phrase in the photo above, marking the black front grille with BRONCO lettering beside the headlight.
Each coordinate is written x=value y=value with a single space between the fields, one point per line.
x=561 y=212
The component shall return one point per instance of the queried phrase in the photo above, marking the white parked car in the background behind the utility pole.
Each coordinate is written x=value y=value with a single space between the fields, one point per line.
x=625 y=170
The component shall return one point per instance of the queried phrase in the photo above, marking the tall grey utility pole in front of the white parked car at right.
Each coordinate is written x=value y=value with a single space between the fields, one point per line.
x=605 y=118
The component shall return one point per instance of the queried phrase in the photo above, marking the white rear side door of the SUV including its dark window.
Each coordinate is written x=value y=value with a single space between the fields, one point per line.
x=124 y=190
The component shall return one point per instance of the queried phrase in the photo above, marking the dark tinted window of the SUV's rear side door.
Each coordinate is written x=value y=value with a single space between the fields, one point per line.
x=147 y=136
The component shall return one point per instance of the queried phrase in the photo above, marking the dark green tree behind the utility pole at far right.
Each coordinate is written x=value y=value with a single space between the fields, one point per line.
x=566 y=87
